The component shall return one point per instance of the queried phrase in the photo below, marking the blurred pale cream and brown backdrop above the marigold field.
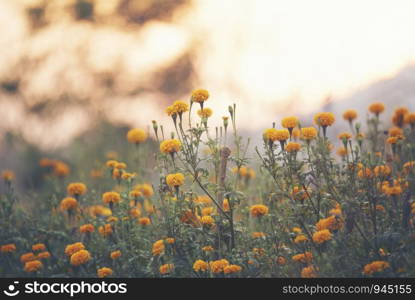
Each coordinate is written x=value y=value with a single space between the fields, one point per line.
x=72 y=70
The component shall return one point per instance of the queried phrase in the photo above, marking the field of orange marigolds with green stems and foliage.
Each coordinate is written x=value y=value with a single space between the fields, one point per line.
x=203 y=201
